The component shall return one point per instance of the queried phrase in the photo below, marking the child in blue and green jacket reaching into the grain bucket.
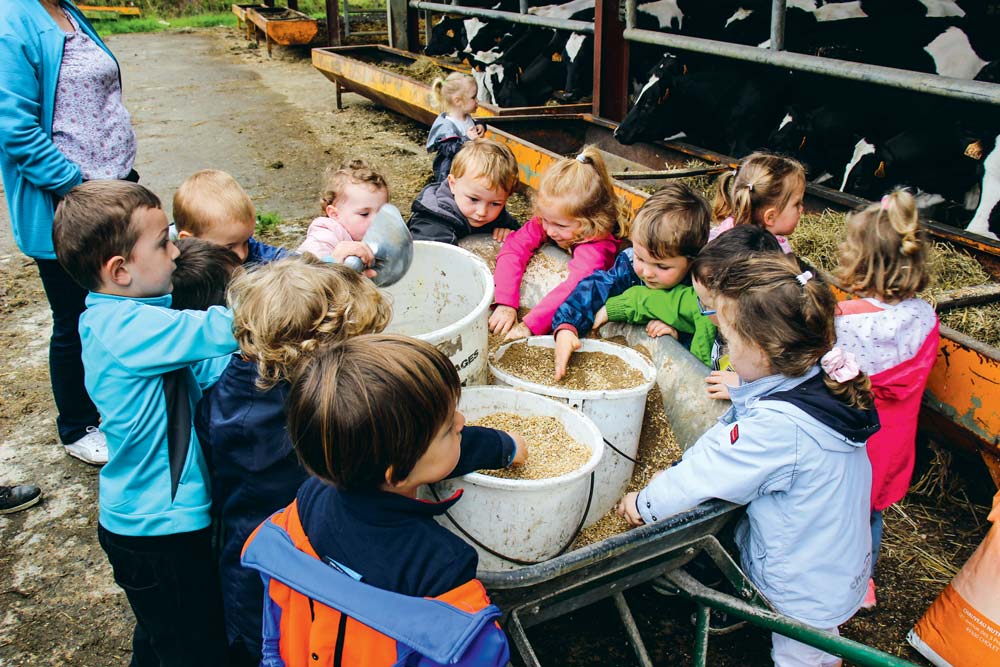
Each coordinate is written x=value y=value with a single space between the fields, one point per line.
x=669 y=231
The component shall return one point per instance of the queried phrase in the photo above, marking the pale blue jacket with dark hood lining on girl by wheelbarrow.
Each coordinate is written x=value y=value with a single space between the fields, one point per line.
x=795 y=454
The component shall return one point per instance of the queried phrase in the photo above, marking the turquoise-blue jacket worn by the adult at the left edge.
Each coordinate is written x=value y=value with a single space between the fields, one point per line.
x=33 y=169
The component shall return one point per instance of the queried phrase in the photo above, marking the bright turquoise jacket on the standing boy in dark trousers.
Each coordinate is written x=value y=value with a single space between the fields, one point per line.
x=145 y=367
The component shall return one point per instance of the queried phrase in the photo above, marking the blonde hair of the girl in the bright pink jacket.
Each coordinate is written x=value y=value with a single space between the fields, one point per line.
x=582 y=188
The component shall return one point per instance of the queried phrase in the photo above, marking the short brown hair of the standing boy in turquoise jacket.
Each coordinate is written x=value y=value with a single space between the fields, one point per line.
x=93 y=223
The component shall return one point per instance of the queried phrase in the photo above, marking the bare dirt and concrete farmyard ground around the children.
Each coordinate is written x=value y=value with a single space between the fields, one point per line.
x=203 y=99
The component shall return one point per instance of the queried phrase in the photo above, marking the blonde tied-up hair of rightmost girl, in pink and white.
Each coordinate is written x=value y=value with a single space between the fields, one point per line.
x=885 y=252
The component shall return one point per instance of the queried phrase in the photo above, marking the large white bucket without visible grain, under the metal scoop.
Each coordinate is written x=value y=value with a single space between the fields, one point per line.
x=443 y=299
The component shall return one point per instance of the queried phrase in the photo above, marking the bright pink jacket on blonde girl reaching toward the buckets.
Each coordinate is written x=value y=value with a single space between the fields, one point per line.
x=588 y=256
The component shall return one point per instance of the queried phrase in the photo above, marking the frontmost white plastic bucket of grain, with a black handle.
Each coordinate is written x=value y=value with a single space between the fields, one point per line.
x=525 y=520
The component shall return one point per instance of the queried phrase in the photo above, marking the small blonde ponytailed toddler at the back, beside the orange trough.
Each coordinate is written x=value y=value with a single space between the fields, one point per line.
x=454 y=126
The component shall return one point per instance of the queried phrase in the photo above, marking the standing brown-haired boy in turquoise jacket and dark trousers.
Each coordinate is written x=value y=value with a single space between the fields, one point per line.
x=146 y=366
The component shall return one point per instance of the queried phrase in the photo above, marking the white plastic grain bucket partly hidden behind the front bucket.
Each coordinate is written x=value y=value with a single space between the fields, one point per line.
x=618 y=414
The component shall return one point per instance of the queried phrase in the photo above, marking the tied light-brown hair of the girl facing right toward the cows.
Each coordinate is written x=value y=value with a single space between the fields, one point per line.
x=761 y=181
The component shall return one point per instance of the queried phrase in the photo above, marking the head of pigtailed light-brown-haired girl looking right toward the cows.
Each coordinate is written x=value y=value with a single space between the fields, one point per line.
x=765 y=190
